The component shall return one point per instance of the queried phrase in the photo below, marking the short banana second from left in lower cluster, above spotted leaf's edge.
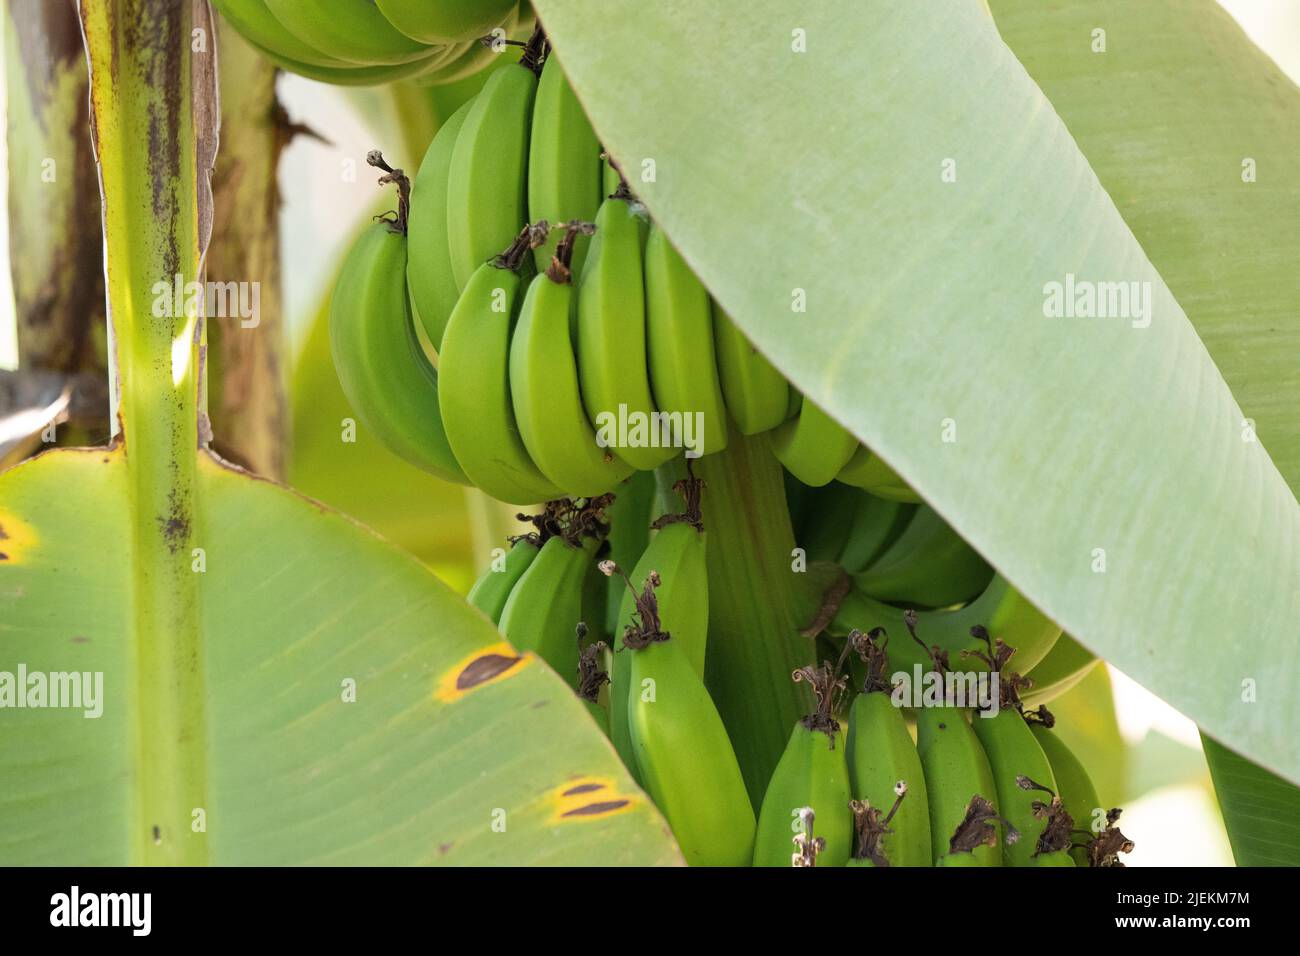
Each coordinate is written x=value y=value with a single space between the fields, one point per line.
x=547 y=604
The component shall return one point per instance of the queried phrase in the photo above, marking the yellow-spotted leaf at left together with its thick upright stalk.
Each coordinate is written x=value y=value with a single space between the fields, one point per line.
x=267 y=681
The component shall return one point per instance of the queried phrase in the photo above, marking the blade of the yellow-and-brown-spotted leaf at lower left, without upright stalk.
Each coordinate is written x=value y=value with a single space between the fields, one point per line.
x=335 y=716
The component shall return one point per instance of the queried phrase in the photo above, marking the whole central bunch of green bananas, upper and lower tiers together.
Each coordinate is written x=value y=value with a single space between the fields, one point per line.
x=551 y=308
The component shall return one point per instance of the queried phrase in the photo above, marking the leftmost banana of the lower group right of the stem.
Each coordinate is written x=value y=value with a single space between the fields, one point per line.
x=813 y=772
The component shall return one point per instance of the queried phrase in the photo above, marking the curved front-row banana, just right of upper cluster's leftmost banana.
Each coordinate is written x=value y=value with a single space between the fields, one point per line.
x=475 y=384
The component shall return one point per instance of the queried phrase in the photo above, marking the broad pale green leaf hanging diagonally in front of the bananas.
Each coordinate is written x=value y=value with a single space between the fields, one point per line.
x=898 y=175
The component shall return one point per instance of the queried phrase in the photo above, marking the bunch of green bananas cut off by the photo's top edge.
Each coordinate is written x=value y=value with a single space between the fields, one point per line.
x=369 y=42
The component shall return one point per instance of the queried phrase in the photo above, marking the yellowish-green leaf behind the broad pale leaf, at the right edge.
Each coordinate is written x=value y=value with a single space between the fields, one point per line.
x=1207 y=188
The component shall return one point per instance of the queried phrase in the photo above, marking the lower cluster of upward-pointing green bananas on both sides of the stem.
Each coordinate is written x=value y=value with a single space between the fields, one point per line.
x=853 y=788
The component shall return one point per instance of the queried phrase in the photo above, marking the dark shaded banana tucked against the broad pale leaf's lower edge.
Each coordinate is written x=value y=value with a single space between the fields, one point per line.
x=929 y=566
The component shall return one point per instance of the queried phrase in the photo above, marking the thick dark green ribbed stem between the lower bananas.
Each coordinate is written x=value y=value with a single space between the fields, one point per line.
x=753 y=622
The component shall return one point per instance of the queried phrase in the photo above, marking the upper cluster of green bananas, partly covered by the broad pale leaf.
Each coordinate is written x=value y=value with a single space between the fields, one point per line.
x=565 y=370
